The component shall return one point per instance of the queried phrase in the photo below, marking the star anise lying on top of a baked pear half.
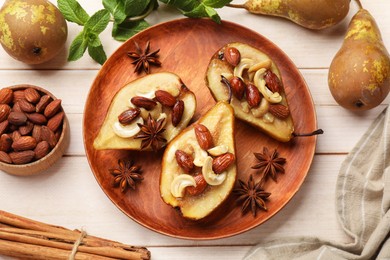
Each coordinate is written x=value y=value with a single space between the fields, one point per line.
x=151 y=134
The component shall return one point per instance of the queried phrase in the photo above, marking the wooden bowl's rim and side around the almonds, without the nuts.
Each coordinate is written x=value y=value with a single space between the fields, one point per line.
x=45 y=162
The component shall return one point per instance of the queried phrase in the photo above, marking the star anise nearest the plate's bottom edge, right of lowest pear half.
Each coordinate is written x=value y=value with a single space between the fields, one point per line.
x=252 y=194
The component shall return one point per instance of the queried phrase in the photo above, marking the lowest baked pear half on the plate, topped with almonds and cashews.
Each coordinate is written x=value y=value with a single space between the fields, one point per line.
x=199 y=166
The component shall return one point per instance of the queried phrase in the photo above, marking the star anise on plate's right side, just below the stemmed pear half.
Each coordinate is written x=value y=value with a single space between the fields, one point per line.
x=269 y=163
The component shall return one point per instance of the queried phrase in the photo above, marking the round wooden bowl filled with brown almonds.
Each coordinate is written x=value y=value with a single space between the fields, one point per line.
x=34 y=130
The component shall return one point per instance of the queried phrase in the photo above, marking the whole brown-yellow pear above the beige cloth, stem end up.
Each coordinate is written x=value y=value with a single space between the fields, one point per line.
x=359 y=75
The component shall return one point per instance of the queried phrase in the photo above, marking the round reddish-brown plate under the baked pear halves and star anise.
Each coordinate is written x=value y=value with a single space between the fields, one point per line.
x=186 y=47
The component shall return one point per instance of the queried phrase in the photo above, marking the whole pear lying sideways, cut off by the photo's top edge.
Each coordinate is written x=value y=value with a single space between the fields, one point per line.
x=318 y=14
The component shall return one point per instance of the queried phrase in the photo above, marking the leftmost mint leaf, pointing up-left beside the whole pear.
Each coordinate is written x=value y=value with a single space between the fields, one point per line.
x=72 y=11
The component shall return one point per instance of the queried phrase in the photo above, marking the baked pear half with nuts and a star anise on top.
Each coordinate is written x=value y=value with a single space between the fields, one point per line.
x=147 y=113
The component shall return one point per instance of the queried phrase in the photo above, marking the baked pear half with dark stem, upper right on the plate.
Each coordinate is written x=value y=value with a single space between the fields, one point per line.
x=251 y=81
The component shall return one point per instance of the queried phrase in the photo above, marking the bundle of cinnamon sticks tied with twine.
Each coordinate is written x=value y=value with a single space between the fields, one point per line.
x=29 y=239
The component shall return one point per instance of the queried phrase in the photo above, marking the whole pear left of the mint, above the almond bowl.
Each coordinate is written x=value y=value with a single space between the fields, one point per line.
x=32 y=31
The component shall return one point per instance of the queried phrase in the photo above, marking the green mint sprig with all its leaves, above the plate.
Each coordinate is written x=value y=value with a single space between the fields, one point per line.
x=128 y=17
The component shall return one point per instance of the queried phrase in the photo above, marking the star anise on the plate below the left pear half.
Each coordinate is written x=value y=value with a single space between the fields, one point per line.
x=126 y=175
